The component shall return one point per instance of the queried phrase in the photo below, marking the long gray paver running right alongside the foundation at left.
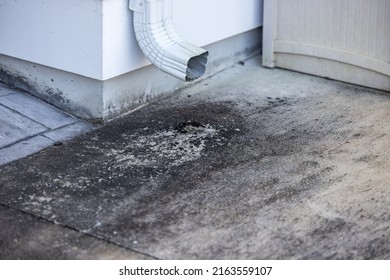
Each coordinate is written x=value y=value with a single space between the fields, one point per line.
x=37 y=110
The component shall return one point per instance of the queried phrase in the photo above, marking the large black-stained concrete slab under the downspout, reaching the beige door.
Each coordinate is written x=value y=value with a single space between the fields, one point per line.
x=251 y=164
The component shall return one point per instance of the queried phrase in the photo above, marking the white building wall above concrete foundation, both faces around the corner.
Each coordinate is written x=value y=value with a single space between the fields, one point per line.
x=95 y=38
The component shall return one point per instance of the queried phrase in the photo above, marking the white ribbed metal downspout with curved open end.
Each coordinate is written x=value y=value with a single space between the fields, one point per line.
x=161 y=44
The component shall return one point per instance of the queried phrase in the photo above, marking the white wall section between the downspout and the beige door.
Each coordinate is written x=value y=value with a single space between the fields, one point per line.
x=207 y=21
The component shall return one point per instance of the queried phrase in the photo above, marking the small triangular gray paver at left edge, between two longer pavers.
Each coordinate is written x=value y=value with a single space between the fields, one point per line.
x=15 y=127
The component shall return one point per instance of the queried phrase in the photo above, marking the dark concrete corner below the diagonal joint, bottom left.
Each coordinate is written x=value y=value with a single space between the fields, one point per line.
x=24 y=236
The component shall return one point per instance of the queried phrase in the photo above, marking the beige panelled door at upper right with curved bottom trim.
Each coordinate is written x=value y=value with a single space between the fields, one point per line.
x=347 y=40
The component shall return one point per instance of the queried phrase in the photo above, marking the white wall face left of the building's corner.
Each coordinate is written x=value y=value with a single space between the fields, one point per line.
x=62 y=34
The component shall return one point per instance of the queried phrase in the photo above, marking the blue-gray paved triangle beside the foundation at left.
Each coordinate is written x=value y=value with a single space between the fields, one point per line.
x=28 y=125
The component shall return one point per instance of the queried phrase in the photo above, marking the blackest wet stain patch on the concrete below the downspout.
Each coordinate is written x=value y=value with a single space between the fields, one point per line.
x=88 y=171
